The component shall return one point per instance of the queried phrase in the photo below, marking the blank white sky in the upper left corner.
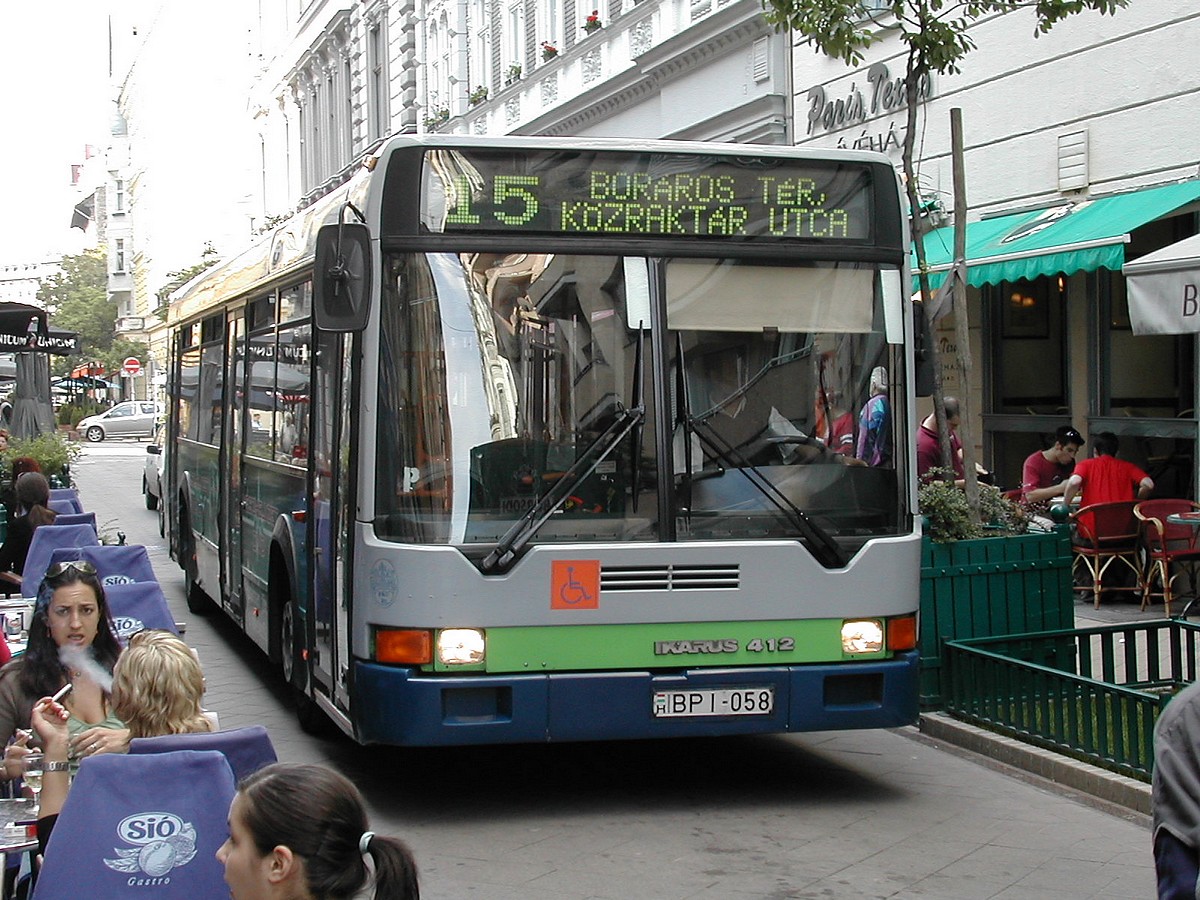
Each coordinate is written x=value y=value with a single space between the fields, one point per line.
x=55 y=99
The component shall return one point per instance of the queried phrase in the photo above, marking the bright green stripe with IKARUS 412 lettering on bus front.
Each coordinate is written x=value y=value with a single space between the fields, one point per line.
x=667 y=646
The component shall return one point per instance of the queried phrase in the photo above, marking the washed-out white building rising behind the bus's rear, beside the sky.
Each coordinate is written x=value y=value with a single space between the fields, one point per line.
x=181 y=160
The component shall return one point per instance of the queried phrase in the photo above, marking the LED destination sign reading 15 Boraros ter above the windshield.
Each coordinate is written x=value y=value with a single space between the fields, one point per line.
x=620 y=194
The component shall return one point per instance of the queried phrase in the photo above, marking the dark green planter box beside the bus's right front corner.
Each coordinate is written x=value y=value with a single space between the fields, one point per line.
x=987 y=589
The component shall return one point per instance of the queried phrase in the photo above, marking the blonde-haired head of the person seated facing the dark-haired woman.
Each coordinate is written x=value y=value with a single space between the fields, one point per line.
x=158 y=687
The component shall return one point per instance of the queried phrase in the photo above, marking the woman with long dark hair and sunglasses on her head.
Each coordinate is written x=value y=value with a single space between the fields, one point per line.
x=71 y=639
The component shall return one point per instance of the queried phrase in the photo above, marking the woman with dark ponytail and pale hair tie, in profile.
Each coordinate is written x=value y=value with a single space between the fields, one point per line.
x=327 y=854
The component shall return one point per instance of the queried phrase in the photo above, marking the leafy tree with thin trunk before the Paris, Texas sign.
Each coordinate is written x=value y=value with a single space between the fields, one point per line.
x=938 y=38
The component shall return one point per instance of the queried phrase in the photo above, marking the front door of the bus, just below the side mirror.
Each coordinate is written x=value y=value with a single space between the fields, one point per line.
x=332 y=514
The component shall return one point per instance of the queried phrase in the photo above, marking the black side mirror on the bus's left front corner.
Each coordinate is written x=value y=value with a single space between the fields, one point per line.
x=343 y=278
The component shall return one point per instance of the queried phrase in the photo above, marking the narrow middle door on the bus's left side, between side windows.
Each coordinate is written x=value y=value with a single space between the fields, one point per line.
x=232 y=500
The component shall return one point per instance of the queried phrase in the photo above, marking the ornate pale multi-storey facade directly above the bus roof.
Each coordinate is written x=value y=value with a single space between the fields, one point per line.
x=338 y=77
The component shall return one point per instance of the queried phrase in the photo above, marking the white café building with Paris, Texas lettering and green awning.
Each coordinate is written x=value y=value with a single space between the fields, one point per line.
x=1081 y=154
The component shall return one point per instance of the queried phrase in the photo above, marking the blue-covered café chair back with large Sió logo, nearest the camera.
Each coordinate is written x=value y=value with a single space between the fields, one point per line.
x=141 y=825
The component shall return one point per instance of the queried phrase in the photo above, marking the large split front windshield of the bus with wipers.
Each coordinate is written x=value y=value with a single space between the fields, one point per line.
x=761 y=411
